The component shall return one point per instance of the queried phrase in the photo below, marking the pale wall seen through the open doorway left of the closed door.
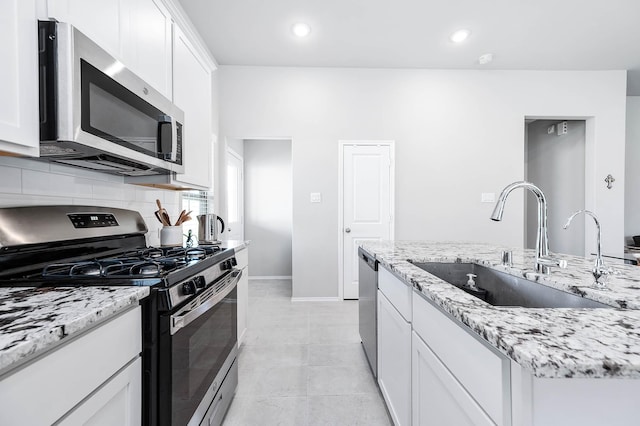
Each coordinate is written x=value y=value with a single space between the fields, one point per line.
x=268 y=206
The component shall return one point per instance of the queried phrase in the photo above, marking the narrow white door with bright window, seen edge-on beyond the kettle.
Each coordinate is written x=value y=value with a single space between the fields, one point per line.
x=235 y=197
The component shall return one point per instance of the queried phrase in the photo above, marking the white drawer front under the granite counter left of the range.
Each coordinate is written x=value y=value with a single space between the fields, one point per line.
x=60 y=379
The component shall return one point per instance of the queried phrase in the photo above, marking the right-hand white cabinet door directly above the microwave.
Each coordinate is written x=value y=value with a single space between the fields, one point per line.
x=149 y=53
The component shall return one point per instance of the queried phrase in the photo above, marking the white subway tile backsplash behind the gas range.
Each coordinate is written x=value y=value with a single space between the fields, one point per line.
x=25 y=182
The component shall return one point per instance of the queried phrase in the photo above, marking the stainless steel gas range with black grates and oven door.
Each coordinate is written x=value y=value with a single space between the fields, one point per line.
x=189 y=331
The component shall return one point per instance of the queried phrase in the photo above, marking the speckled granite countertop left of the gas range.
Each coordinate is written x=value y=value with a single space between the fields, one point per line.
x=33 y=320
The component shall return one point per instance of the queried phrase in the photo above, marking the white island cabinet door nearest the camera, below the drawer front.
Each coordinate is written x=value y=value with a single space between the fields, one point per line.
x=437 y=397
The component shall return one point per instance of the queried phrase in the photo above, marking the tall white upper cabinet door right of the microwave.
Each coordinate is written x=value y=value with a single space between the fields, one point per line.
x=192 y=94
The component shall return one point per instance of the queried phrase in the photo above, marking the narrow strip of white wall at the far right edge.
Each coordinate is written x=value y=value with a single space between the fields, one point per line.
x=632 y=161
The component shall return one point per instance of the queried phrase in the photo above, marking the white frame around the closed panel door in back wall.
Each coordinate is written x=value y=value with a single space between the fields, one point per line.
x=392 y=198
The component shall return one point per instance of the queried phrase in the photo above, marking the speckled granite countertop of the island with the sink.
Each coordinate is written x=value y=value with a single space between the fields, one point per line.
x=554 y=342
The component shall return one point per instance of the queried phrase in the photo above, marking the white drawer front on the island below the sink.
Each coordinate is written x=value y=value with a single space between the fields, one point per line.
x=481 y=371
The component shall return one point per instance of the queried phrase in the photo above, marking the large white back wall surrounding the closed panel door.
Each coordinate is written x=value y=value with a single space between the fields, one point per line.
x=457 y=133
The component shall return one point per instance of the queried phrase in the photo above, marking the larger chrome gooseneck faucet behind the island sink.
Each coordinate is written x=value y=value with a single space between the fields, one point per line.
x=543 y=260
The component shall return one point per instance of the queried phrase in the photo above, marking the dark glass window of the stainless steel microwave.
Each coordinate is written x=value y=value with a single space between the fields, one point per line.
x=112 y=112
